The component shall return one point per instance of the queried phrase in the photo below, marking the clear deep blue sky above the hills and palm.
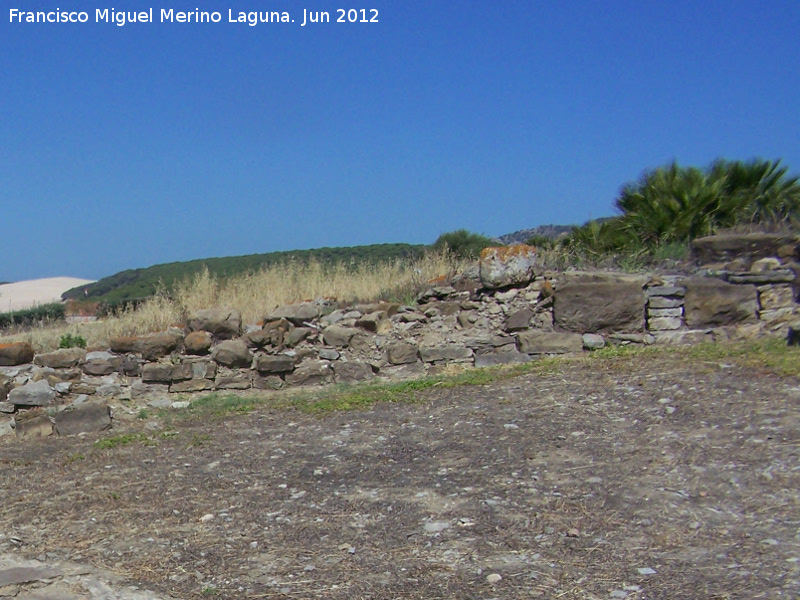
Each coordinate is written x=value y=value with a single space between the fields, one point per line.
x=124 y=147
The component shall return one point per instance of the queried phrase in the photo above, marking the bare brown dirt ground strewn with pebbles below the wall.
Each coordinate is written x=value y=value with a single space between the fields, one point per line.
x=645 y=477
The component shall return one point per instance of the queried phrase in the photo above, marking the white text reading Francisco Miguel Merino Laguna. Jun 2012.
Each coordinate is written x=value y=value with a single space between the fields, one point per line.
x=197 y=16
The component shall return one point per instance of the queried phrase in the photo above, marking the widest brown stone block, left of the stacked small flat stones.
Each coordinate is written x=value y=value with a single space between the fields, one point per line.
x=601 y=305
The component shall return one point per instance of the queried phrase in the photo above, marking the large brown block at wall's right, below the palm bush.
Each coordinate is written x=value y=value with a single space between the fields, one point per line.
x=713 y=303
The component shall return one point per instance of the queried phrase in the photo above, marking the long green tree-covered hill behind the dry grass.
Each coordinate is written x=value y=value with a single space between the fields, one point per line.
x=135 y=284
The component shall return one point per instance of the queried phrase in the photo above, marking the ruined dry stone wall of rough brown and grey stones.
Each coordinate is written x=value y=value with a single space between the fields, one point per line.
x=502 y=312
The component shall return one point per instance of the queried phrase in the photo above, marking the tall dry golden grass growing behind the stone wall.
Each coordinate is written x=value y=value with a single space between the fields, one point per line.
x=254 y=295
